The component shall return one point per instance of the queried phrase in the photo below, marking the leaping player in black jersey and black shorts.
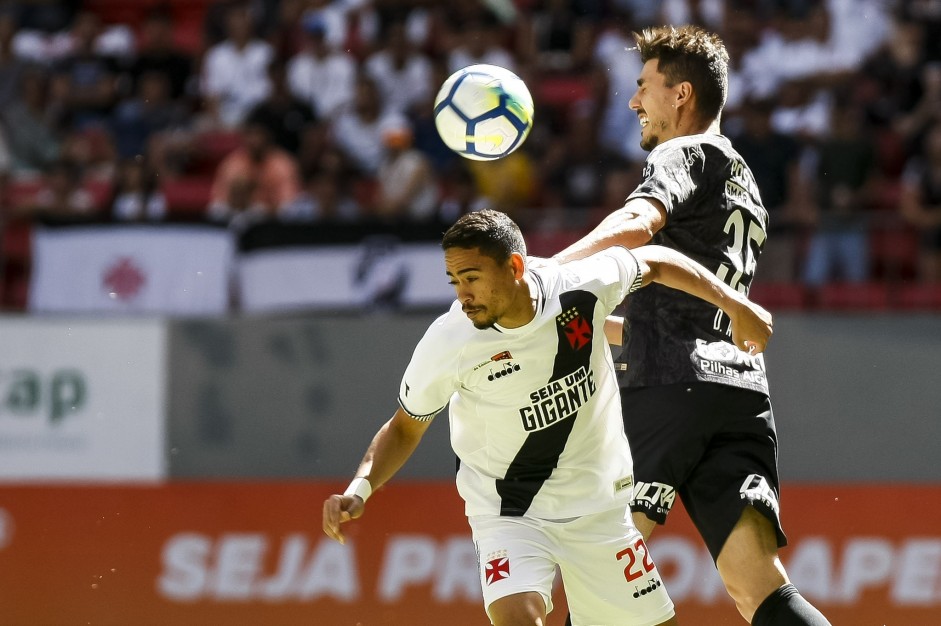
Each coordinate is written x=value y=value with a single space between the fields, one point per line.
x=696 y=407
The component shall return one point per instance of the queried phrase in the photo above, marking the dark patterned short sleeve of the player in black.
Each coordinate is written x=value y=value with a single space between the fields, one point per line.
x=669 y=175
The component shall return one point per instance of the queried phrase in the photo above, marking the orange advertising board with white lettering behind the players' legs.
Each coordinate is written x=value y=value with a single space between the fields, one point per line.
x=253 y=553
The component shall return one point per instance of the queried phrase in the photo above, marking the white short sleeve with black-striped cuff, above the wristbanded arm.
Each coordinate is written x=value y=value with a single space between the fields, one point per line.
x=430 y=378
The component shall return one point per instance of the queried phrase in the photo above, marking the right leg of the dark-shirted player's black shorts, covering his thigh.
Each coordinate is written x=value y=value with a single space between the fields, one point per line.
x=737 y=470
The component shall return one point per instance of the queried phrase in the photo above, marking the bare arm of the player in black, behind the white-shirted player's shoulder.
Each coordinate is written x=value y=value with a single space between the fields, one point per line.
x=630 y=226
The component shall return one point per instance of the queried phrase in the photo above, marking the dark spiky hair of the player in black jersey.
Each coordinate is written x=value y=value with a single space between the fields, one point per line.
x=691 y=54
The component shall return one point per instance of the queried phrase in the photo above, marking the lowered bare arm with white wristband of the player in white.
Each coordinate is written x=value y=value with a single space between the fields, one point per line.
x=393 y=444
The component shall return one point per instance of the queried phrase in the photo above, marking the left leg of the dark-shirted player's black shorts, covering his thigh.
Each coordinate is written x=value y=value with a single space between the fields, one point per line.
x=668 y=434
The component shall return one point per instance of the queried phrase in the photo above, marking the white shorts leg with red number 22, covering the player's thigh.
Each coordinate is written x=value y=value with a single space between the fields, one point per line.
x=608 y=574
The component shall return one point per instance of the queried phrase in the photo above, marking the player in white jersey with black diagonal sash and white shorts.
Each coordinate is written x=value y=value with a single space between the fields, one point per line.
x=545 y=467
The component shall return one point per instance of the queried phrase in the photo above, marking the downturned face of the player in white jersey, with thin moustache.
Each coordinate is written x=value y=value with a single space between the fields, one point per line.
x=484 y=287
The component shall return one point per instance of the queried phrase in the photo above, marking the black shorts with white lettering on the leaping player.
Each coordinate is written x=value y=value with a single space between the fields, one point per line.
x=714 y=445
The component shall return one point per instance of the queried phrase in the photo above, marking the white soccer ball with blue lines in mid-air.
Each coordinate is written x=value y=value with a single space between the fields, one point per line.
x=483 y=112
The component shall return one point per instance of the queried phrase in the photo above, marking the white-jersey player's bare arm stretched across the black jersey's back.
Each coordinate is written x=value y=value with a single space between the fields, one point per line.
x=751 y=324
